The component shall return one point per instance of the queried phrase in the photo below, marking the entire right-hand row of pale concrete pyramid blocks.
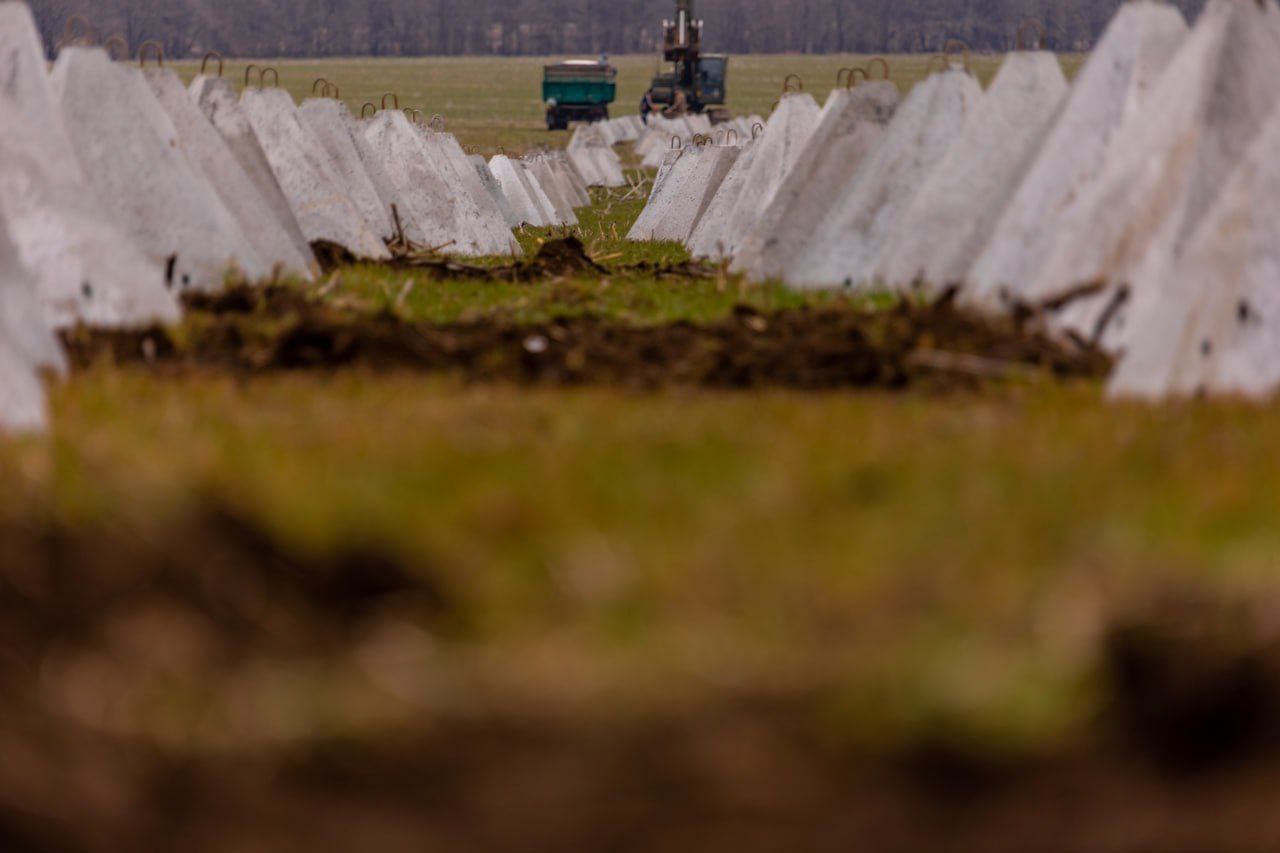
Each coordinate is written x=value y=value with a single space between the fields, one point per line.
x=1132 y=208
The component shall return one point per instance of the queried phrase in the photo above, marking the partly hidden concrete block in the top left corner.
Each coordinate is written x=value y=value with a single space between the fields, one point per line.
x=25 y=80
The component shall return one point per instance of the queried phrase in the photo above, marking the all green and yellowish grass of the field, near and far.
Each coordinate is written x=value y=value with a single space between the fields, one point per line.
x=907 y=567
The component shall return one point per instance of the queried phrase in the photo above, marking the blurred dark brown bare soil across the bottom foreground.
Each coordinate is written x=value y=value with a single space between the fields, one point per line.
x=1186 y=758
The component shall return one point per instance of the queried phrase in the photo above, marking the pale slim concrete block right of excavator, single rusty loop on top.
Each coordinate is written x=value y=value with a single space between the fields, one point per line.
x=780 y=149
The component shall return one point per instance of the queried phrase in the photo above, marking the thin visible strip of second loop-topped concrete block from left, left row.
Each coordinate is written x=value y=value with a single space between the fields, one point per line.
x=209 y=154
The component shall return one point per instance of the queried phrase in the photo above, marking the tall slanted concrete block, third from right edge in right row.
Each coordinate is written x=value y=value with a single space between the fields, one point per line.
x=1112 y=89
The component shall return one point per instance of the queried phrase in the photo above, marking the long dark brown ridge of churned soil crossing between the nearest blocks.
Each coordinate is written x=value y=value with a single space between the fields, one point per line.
x=282 y=329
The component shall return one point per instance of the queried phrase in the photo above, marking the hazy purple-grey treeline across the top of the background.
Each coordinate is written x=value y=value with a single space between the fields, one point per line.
x=555 y=28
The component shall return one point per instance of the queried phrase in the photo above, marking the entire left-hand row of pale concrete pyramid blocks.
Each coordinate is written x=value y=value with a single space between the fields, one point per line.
x=121 y=188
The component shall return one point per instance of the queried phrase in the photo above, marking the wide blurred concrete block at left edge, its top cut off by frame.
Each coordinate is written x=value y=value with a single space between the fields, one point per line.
x=86 y=268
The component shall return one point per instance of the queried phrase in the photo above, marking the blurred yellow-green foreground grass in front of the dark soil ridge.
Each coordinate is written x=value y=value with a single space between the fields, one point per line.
x=930 y=564
